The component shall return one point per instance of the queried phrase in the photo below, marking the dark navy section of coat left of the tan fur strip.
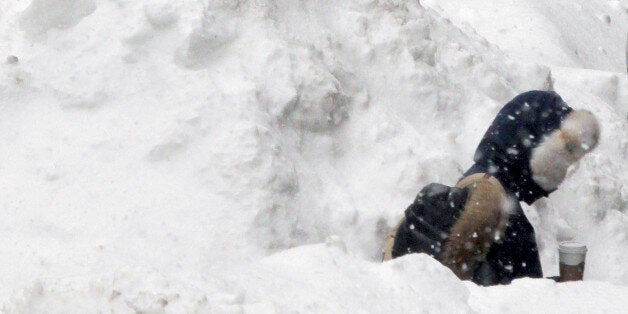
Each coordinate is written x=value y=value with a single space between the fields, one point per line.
x=428 y=220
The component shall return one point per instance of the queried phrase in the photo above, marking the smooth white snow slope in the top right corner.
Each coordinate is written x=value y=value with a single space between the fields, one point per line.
x=578 y=34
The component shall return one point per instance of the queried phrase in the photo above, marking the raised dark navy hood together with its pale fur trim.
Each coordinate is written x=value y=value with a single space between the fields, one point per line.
x=532 y=142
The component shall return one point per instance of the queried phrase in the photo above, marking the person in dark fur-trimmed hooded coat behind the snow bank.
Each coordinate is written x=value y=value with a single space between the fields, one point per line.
x=478 y=229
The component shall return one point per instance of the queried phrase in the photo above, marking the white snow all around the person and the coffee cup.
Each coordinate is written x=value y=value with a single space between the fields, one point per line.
x=249 y=156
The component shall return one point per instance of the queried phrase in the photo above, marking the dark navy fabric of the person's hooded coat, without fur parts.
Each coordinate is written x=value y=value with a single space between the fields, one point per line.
x=503 y=152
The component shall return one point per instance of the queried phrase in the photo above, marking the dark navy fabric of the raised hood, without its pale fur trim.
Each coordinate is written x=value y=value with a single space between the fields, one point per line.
x=507 y=146
